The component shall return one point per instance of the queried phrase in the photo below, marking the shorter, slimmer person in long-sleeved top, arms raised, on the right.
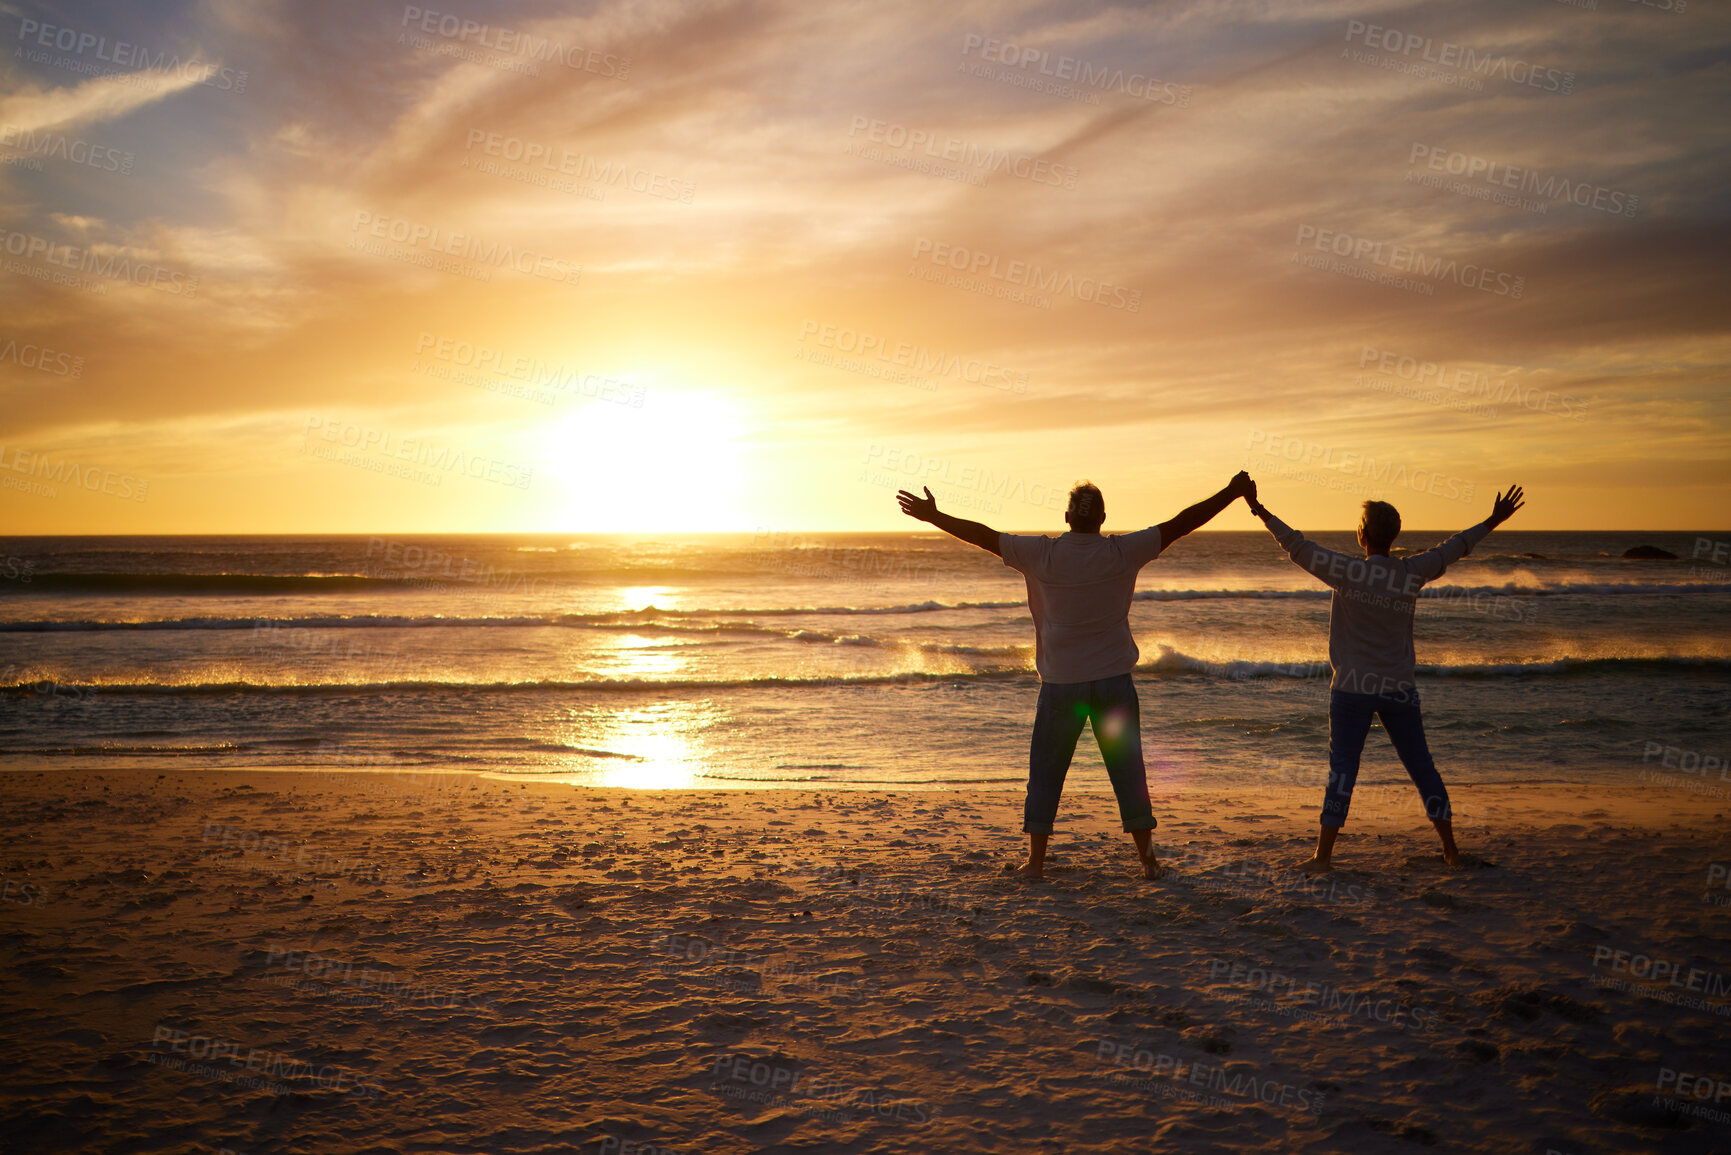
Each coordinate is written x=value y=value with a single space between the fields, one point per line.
x=1370 y=650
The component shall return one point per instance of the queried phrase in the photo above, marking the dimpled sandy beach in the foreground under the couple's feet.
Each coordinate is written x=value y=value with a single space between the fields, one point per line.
x=319 y=962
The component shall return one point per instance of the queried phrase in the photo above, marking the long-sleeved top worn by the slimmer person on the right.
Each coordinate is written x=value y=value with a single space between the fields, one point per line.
x=1370 y=617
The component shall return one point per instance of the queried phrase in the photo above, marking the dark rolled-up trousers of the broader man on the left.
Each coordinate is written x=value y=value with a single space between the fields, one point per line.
x=1110 y=706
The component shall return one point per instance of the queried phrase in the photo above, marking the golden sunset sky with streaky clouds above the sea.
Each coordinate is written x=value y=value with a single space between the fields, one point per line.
x=657 y=268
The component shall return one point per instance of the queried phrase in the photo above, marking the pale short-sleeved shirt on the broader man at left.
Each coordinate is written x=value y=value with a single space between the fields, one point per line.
x=1079 y=593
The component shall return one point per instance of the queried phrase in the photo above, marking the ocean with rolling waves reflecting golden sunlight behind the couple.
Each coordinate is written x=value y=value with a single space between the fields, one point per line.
x=846 y=661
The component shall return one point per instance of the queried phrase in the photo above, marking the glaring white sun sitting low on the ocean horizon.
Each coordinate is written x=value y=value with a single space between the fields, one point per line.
x=676 y=465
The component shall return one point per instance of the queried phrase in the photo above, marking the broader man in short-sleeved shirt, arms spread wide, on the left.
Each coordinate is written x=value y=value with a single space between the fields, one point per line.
x=1079 y=593
